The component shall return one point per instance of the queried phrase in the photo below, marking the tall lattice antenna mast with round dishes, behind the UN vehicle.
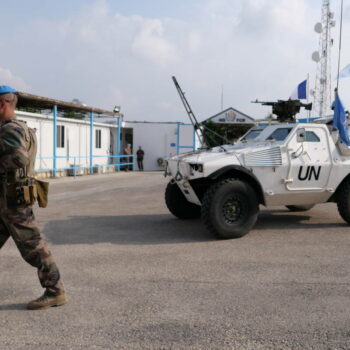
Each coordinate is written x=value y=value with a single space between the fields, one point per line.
x=323 y=88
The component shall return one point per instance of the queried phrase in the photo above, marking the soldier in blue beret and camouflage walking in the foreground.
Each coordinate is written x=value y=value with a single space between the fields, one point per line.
x=17 y=158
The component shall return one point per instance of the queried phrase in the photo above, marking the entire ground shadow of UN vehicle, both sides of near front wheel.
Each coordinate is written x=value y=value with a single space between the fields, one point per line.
x=160 y=229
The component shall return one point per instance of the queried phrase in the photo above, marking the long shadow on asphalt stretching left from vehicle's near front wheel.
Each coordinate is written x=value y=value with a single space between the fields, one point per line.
x=133 y=229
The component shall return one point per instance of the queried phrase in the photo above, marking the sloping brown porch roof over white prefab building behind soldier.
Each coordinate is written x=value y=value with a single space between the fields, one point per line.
x=26 y=100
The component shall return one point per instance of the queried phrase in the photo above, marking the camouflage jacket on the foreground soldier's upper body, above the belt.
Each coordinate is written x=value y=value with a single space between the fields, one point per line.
x=17 y=149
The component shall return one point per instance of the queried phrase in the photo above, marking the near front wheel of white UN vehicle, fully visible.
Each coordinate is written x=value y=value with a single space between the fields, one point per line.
x=230 y=208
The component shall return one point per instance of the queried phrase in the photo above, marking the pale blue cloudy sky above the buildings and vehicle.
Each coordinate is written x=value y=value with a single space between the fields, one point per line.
x=117 y=52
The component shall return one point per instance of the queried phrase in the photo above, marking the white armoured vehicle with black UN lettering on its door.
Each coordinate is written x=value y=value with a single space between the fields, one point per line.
x=294 y=165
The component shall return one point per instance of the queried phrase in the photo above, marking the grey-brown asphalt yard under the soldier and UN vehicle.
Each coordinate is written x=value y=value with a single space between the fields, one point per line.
x=140 y=279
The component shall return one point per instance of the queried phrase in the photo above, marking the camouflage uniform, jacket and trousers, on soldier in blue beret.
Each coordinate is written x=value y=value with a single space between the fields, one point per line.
x=17 y=157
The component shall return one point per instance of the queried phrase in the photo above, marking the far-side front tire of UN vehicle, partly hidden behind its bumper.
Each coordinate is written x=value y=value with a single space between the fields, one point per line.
x=178 y=205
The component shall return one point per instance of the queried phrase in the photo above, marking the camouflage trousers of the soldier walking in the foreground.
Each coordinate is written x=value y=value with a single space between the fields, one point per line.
x=19 y=223
